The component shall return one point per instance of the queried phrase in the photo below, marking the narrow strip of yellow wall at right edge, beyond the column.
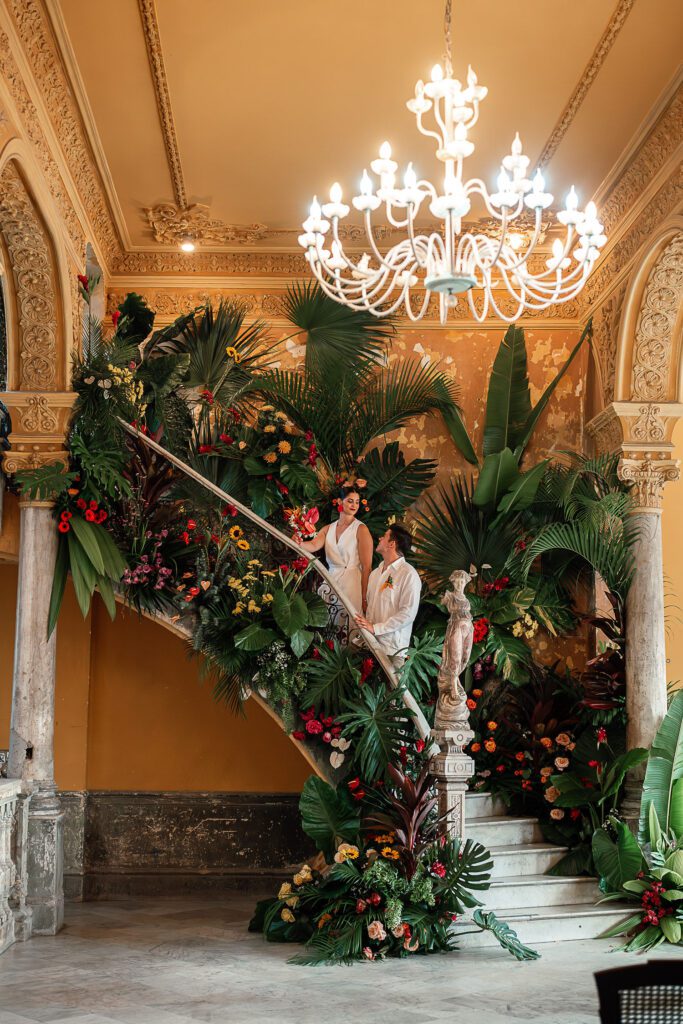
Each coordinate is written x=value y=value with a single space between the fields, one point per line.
x=673 y=568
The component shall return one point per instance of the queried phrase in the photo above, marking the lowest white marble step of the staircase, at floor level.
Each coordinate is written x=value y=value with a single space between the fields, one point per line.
x=541 y=924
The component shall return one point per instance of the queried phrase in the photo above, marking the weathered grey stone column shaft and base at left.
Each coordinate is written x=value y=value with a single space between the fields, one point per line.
x=32 y=732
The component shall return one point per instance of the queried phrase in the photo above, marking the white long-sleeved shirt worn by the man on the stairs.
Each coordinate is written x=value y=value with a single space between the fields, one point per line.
x=394 y=601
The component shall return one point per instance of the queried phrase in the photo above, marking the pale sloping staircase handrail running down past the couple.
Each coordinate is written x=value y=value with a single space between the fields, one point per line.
x=411 y=704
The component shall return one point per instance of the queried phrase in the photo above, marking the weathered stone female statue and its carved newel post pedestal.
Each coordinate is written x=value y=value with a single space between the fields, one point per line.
x=452 y=767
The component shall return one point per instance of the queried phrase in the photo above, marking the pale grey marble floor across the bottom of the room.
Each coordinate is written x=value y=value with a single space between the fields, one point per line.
x=190 y=960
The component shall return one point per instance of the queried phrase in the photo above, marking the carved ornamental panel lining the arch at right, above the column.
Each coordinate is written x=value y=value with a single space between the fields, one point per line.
x=655 y=344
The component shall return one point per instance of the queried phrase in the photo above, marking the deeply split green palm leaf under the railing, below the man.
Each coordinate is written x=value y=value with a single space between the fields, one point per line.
x=378 y=728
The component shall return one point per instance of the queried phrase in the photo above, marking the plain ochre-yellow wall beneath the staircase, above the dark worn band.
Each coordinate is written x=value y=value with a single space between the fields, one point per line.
x=145 y=721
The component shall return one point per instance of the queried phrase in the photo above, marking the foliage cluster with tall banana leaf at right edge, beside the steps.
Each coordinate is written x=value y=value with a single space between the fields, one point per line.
x=649 y=871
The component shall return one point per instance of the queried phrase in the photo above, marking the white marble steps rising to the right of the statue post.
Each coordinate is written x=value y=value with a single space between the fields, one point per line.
x=541 y=908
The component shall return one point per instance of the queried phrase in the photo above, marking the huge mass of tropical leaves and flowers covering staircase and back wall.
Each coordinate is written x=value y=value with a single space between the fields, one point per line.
x=209 y=390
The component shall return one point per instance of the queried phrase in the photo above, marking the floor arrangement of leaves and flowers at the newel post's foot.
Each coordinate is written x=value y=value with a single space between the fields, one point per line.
x=386 y=884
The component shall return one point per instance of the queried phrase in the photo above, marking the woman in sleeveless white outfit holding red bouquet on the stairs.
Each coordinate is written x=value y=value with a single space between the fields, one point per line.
x=349 y=550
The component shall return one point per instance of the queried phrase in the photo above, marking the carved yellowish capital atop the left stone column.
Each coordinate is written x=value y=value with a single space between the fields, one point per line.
x=40 y=422
